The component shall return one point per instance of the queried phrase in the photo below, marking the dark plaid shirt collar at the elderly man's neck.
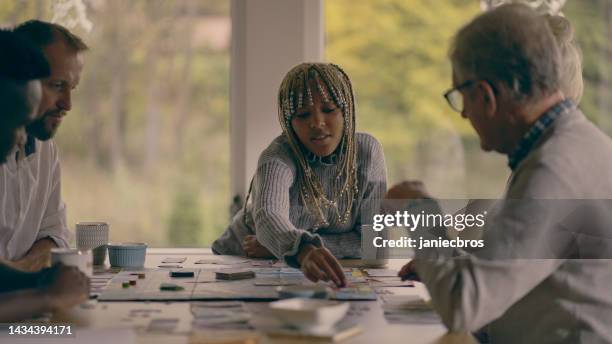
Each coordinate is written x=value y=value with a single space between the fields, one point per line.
x=537 y=129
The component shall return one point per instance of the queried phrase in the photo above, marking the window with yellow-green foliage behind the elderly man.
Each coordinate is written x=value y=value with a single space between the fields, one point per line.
x=395 y=51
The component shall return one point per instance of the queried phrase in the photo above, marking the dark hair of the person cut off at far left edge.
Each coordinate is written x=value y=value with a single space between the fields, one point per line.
x=20 y=60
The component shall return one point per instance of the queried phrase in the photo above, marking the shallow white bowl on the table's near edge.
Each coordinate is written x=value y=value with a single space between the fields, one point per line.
x=309 y=314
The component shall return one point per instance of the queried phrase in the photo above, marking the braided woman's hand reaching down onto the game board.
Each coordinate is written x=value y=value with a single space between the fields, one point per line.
x=318 y=264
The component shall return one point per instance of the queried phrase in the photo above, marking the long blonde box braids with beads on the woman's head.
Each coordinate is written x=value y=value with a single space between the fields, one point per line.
x=334 y=85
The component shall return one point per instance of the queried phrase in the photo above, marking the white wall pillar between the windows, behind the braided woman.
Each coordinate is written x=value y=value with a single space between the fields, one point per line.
x=268 y=38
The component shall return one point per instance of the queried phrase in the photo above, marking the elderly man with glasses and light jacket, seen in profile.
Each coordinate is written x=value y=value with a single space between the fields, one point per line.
x=545 y=271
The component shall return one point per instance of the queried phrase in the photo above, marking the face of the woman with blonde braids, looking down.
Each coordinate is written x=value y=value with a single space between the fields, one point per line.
x=319 y=126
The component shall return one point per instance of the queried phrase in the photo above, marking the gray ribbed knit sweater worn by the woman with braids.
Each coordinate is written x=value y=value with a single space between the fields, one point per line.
x=282 y=222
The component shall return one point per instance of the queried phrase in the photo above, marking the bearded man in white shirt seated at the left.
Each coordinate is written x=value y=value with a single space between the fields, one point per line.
x=32 y=209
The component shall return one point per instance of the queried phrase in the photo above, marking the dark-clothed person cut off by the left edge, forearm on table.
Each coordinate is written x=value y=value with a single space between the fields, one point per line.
x=25 y=294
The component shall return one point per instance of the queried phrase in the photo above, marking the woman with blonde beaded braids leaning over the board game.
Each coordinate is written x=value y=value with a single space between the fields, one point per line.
x=314 y=182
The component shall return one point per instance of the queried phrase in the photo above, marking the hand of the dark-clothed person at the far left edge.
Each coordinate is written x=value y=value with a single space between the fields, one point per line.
x=69 y=287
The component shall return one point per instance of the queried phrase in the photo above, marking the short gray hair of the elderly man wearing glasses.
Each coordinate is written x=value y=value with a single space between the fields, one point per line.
x=510 y=45
